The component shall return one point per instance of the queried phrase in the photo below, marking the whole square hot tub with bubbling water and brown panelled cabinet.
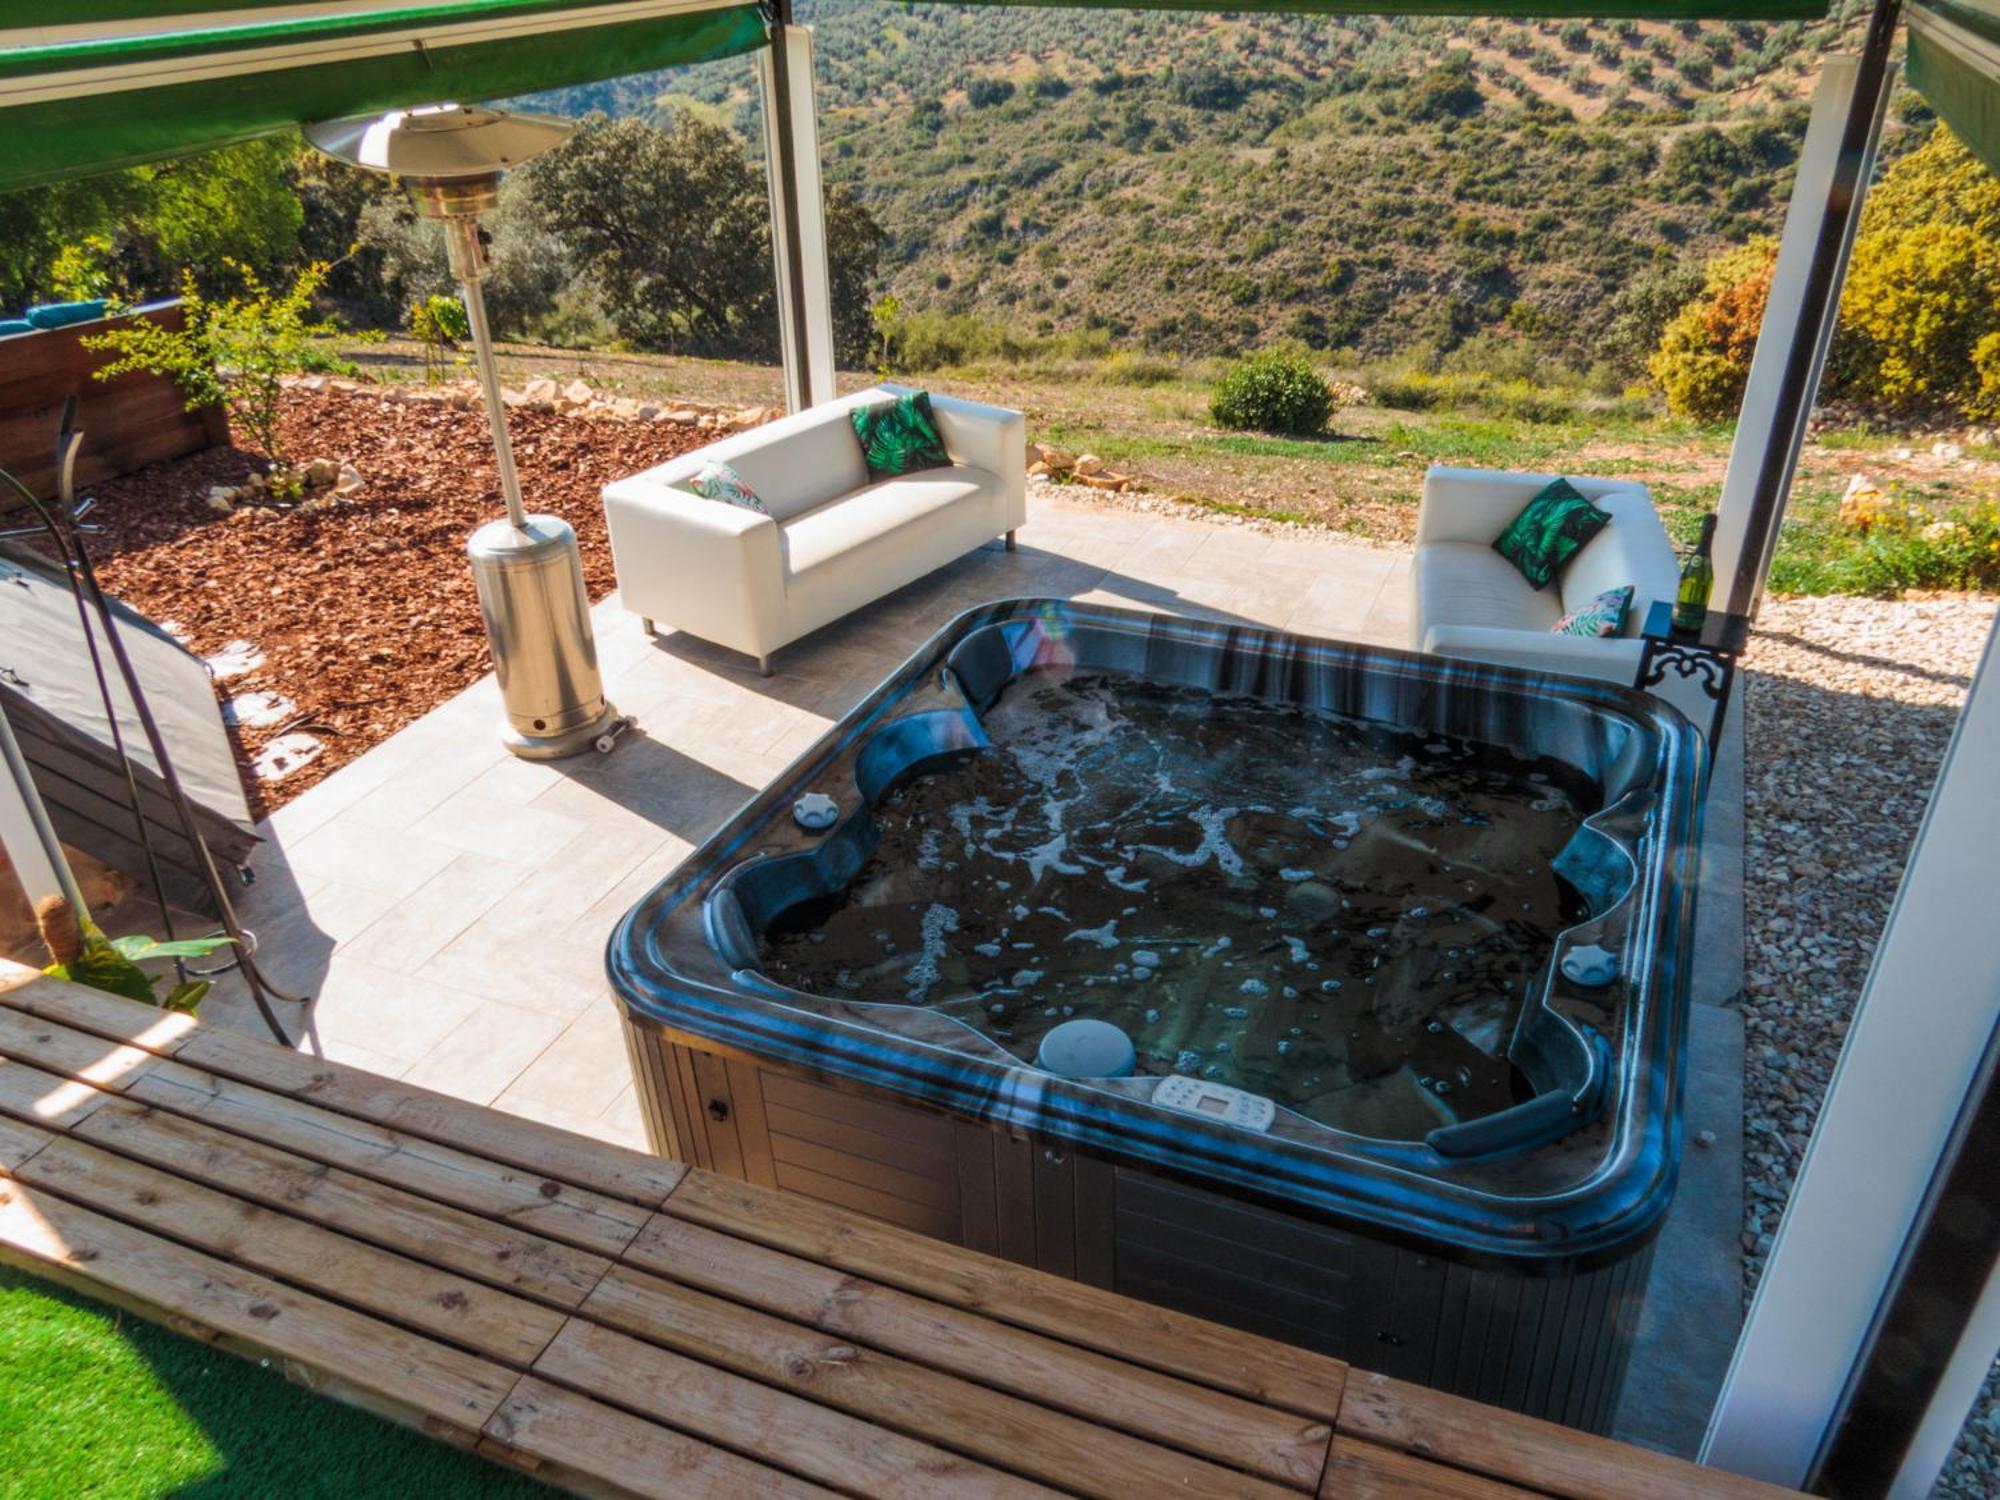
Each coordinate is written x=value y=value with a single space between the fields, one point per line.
x=1377 y=967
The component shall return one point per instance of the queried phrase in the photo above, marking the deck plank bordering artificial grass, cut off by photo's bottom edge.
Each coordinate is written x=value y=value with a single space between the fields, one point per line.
x=593 y=1449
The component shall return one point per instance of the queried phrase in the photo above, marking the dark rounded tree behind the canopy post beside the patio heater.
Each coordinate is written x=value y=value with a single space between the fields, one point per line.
x=671 y=225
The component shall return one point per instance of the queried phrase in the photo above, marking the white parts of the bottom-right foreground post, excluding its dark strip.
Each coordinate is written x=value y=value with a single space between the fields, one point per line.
x=1913 y=1053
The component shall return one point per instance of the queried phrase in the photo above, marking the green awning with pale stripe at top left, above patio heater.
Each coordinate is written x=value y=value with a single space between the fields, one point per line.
x=117 y=83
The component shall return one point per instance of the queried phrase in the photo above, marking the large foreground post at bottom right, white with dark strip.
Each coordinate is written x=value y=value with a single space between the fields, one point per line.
x=1879 y=1309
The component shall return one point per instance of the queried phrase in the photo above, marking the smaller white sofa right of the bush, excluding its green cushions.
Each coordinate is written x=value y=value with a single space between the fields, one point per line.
x=1475 y=605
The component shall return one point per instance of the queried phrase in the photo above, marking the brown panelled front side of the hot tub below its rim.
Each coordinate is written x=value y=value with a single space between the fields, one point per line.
x=1551 y=1345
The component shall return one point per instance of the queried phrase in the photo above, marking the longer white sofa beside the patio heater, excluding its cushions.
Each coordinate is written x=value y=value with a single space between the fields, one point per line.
x=833 y=539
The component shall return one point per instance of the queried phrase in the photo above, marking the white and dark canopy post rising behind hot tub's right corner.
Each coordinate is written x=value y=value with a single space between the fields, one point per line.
x=1805 y=299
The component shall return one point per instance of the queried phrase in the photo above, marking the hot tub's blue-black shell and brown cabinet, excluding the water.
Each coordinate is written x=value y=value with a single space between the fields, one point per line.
x=1501 y=1255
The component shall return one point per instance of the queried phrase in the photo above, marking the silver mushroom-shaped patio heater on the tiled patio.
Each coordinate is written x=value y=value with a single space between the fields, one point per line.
x=527 y=567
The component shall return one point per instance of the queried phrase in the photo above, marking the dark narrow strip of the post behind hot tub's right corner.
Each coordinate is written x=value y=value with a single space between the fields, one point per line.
x=1825 y=273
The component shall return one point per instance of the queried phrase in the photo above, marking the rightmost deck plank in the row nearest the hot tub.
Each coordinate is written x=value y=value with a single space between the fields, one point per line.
x=1521 y=1449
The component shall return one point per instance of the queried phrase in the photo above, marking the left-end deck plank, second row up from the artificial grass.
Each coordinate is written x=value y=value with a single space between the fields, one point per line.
x=409 y=1293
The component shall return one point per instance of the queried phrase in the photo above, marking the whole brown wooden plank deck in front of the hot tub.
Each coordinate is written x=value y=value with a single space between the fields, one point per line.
x=629 y=1327
